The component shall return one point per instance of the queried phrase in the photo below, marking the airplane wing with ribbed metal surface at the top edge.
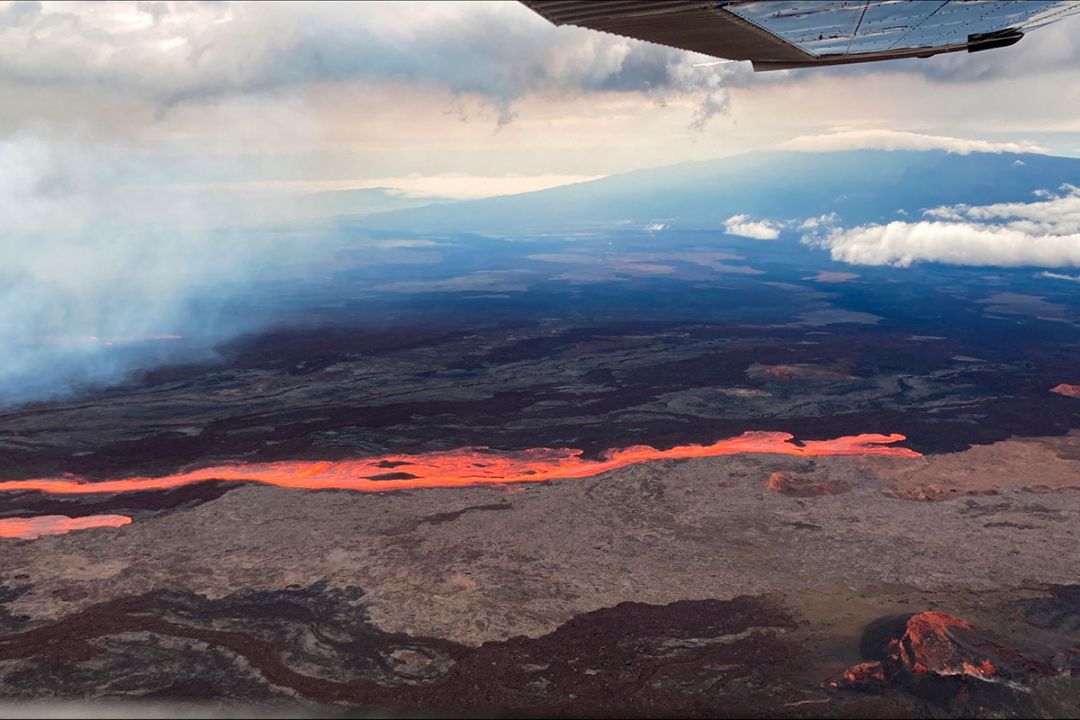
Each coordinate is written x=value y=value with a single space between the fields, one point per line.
x=777 y=35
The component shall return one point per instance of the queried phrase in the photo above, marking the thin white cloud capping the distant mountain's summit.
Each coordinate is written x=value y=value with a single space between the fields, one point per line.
x=890 y=140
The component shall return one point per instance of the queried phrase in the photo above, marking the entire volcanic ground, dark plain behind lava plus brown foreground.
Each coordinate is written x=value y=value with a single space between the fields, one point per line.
x=740 y=585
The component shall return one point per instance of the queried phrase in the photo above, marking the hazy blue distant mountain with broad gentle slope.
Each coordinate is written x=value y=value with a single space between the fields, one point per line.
x=861 y=186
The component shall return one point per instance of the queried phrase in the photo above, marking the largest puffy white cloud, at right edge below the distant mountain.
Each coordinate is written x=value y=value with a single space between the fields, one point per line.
x=1045 y=234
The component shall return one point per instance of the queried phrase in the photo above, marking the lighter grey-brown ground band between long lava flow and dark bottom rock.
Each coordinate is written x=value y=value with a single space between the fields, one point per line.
x=475 y=565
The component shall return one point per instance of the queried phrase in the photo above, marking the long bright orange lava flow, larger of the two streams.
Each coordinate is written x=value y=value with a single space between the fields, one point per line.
x=464 y=468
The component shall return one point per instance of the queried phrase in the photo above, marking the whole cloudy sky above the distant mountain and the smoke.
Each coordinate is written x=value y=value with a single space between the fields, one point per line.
x=466 y=100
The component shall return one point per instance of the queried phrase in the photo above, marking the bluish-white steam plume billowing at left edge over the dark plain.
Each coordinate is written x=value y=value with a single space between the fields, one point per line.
x=102 y=270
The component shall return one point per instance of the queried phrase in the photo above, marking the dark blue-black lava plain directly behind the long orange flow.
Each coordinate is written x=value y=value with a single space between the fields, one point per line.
x=330 y=395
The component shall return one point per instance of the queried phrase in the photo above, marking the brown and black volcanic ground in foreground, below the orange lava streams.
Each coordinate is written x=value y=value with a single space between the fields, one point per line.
x=456 y=580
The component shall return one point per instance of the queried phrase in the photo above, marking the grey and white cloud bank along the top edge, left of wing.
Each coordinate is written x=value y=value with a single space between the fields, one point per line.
x=174 y=52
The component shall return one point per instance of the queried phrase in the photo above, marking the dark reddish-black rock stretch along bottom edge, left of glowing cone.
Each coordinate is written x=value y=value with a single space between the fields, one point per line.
x=316 y=644
